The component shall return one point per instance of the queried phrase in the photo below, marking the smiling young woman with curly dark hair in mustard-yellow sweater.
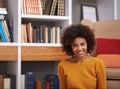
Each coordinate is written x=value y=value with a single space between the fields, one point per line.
x=81 y=70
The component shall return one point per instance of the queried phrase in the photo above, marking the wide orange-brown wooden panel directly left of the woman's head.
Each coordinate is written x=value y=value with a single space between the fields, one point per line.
x=30 y=53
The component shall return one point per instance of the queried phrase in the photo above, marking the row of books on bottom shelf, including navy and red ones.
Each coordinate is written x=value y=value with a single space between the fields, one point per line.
x=50 y=81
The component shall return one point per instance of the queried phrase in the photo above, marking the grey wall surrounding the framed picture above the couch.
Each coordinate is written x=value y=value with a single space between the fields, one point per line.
x=105 y=9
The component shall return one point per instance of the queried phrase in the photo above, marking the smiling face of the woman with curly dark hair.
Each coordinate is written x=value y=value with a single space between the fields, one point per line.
x=79 y=47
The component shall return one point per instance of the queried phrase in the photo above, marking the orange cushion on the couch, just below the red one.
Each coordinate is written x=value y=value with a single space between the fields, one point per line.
x=110 y=60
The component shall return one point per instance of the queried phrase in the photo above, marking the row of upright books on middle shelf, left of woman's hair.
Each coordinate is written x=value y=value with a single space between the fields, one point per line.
x=41 y=34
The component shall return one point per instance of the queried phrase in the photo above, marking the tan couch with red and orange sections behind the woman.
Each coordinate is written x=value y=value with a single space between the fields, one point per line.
x=107 y=35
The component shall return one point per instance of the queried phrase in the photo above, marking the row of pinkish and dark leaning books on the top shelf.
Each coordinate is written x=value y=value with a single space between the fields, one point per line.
x=45 y=7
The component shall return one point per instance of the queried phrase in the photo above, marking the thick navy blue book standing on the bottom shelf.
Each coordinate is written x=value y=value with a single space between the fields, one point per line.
x=29 y=80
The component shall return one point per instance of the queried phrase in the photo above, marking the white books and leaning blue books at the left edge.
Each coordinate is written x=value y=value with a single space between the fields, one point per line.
x=6 y=27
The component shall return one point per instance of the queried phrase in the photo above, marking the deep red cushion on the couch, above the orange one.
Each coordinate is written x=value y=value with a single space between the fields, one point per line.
x=108 y=46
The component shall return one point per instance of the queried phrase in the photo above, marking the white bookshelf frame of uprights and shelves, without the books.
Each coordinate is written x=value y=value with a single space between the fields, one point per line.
x=14 y=11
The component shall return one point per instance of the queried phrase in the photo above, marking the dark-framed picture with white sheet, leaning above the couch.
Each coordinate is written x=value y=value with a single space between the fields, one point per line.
x=89 y=12
